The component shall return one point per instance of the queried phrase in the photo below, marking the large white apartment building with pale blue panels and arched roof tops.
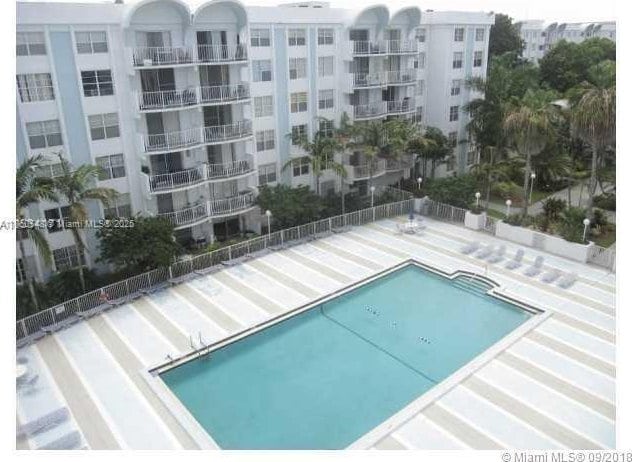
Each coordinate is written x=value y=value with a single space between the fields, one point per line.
x=189 y=106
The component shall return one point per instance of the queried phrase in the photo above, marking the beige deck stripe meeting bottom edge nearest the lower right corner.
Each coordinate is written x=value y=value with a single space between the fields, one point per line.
x=545 y=424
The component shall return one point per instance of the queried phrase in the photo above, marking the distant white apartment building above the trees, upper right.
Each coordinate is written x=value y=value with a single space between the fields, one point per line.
x=540 y=37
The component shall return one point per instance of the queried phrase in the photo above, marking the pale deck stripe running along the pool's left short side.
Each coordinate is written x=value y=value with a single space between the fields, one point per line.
x=128 y=361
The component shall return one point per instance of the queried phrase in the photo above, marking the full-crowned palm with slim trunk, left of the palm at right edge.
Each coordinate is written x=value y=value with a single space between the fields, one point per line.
x=529 y=126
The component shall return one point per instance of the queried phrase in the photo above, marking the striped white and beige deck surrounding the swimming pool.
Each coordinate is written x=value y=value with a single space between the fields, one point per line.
x=554 y=387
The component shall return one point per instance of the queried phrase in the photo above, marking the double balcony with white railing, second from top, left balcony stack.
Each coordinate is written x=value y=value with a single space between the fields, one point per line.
x=149 y=101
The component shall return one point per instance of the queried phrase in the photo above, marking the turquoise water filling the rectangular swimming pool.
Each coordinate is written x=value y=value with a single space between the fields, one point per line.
x=322 y=379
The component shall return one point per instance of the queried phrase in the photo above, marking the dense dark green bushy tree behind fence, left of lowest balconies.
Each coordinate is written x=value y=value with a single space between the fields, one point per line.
x=147 y=245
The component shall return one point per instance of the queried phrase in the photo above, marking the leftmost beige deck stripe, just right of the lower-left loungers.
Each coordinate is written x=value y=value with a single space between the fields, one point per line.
x=93 y=425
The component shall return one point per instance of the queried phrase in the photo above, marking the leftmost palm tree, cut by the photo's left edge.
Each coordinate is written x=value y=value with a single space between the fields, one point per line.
x=30 y=189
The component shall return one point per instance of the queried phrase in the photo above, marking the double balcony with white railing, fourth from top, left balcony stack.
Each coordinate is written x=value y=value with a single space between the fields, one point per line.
x=203 y=173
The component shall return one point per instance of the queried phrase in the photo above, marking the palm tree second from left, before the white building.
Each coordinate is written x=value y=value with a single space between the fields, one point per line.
x=76 y=187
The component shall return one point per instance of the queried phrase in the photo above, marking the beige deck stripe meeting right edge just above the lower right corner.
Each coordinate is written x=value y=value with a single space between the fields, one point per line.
x=559 y=385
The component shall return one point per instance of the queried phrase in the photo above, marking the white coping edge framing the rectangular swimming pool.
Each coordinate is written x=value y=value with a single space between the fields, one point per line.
x=206 y=441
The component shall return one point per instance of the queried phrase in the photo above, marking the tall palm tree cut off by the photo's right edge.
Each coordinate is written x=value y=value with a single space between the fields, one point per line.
x=593 y=120
